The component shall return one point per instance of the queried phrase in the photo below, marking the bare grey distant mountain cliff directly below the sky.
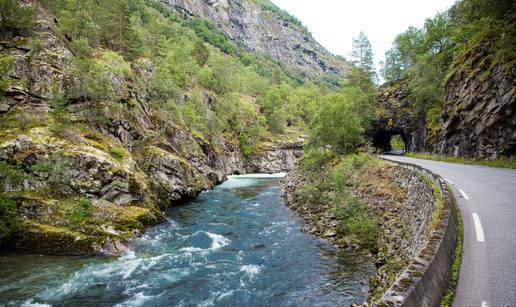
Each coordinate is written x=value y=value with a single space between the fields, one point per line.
x=258 y=29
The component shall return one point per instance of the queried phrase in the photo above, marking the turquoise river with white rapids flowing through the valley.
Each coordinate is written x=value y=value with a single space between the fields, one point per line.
x=236 y=245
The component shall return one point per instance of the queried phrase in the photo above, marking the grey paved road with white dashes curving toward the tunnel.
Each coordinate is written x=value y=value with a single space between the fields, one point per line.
x=487 y=201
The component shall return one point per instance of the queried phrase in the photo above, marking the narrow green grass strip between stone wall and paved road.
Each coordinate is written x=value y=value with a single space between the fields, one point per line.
x=448 y=297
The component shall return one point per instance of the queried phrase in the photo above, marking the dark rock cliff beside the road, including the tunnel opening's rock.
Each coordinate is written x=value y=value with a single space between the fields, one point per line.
x=478 y=117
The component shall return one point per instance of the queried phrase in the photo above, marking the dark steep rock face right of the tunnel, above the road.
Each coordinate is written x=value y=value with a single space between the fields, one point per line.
x=479 y=117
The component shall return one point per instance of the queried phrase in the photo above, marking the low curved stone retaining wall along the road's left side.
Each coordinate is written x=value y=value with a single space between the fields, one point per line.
x=425 y=280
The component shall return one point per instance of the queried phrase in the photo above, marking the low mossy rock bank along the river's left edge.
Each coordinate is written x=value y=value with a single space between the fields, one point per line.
x=113 y=199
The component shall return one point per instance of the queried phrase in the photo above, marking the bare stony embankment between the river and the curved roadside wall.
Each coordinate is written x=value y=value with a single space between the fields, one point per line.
x=402 y=202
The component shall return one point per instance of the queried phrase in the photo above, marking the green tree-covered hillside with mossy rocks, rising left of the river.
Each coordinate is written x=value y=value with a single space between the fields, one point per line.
x=112 y=111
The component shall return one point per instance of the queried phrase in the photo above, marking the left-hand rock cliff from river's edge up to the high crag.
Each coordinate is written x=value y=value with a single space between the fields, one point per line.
x=85 y=176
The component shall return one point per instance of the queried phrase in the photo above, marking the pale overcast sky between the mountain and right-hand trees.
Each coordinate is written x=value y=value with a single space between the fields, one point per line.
x=334 y=23
